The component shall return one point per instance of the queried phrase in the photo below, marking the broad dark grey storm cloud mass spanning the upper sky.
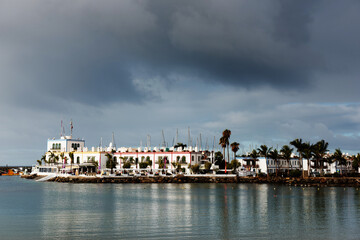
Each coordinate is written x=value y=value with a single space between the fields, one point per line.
x=91 y=52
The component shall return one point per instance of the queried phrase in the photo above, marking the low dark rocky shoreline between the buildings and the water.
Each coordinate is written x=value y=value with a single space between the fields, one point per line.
x=307 y=182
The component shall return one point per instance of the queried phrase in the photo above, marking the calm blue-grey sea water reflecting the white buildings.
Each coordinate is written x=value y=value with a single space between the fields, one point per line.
x=35 y=210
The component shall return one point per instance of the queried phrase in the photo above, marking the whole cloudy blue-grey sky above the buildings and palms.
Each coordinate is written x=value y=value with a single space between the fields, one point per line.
x=270 y=71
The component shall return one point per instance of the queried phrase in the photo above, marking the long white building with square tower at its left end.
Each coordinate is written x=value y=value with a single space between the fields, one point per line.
x=58 y=157
